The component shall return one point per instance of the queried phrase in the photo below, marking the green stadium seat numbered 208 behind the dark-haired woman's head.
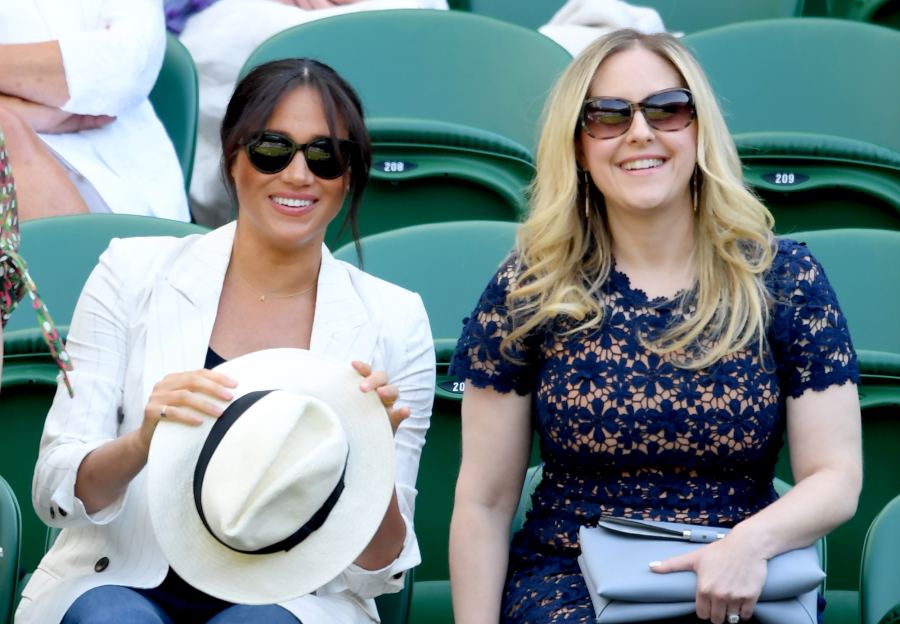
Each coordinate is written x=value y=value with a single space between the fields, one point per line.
x=453 y=120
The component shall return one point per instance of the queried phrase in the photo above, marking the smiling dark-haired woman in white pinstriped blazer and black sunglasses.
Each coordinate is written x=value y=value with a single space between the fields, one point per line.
x=157 y=313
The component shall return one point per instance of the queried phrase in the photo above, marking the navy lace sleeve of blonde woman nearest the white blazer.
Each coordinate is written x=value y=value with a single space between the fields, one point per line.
x=478 y=357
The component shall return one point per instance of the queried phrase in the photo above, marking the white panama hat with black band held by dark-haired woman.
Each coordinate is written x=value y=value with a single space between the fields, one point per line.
x=279 y=495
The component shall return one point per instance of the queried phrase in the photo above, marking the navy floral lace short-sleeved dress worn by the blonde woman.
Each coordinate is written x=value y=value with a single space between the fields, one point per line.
x=624 y=432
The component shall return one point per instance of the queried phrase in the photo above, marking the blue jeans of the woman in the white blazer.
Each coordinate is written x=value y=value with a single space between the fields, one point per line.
x=112 y=604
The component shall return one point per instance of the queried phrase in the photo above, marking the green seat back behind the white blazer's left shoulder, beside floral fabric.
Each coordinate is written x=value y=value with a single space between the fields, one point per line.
x=62 y=251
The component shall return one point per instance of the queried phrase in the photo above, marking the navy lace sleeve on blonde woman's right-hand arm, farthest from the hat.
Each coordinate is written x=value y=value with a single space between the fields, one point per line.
x=809 y=338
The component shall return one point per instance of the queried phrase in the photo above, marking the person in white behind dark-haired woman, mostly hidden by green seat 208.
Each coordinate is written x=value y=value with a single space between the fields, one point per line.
x=220 y=38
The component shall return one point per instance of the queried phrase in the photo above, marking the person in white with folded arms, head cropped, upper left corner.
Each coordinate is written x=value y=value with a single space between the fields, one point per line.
x=82 y=135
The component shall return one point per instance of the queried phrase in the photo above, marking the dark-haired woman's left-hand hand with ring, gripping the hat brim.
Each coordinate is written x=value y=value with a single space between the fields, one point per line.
x=179 y=396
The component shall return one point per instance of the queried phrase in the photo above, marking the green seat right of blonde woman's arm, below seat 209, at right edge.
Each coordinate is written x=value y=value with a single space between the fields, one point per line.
x=853 y=259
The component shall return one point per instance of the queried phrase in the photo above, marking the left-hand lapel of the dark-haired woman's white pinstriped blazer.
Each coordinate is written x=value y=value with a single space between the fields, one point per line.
x=183 y=305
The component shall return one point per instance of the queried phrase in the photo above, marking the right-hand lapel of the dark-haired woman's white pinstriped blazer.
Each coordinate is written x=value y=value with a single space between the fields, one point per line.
x=341 y=327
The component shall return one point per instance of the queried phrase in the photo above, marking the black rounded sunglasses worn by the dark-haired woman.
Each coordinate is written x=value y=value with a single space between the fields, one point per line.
x=271 y=152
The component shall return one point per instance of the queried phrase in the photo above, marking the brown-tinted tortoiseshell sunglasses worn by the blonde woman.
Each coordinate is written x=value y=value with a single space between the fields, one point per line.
x=668 y=111
